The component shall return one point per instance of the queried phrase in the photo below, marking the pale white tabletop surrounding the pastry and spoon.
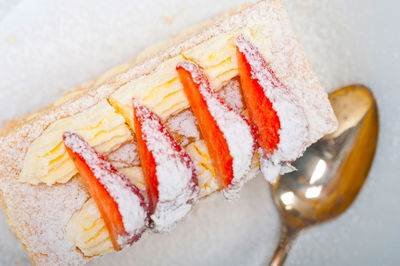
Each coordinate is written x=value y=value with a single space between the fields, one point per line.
x=47 y=47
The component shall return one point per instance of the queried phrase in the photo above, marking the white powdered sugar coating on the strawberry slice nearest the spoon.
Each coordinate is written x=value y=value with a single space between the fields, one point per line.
x=294 y=124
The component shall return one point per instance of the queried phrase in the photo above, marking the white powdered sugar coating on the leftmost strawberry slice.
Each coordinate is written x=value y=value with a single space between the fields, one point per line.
x=129 y=199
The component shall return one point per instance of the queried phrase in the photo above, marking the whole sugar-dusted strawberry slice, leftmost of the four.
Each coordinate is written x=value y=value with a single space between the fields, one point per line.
x=120 y=202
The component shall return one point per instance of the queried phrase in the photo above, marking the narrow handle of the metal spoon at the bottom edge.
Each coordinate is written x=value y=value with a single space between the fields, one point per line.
x=287 y=238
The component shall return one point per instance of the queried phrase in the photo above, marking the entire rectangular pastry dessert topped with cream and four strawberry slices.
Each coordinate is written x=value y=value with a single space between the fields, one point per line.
x=134 y=150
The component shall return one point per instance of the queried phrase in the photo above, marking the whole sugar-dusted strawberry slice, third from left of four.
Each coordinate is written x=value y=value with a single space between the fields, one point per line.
x=226 y=133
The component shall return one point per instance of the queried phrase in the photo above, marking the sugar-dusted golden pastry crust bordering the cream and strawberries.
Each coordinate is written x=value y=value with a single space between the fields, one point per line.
x=39 y=213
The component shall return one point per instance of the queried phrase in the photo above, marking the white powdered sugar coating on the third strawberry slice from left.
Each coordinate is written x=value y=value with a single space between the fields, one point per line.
x=235 y=128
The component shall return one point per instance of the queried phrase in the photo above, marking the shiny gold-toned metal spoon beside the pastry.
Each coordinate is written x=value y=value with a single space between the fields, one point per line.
x=331 y=172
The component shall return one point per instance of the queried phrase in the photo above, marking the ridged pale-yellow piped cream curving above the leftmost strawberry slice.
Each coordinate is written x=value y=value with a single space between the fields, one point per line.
x=47 y=160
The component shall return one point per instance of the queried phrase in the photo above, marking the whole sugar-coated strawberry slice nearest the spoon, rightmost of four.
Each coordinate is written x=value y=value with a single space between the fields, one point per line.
x=278 y=119
